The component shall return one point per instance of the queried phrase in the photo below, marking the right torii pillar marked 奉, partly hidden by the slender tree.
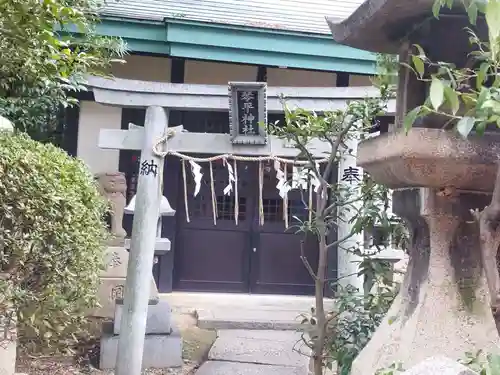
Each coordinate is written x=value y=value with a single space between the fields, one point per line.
x=350 y=176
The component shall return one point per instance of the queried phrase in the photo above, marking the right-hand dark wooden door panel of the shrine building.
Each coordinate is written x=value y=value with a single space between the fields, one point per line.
x=276 y=264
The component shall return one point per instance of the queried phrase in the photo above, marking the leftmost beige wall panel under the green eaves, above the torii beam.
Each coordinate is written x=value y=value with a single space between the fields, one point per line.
x=144 y=68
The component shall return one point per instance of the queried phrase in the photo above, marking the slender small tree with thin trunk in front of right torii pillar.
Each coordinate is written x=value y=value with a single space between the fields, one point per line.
x=334 y=199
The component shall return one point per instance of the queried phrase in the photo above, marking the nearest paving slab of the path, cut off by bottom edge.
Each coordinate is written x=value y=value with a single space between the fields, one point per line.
x=234 y=368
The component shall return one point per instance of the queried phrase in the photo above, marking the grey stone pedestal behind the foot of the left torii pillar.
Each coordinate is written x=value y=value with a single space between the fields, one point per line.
x=162 y=344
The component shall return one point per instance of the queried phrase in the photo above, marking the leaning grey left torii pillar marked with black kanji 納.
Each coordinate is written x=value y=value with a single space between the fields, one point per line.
x=142 y=244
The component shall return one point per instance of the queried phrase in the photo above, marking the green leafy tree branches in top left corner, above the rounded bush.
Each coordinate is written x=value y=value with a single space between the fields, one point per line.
x=42 y=63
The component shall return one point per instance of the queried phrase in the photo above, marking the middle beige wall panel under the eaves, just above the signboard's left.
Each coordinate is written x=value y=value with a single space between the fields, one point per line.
x=212 y=73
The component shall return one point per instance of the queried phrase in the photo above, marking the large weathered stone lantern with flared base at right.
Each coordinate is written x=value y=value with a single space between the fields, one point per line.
x=437 y=177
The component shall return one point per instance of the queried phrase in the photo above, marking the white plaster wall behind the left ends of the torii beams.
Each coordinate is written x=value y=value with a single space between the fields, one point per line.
x=93 y=117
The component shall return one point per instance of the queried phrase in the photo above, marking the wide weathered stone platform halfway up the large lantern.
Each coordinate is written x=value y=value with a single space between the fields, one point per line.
x=442 y=159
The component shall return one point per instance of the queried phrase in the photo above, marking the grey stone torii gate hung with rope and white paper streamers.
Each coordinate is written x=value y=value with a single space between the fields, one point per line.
x=158 y=98
